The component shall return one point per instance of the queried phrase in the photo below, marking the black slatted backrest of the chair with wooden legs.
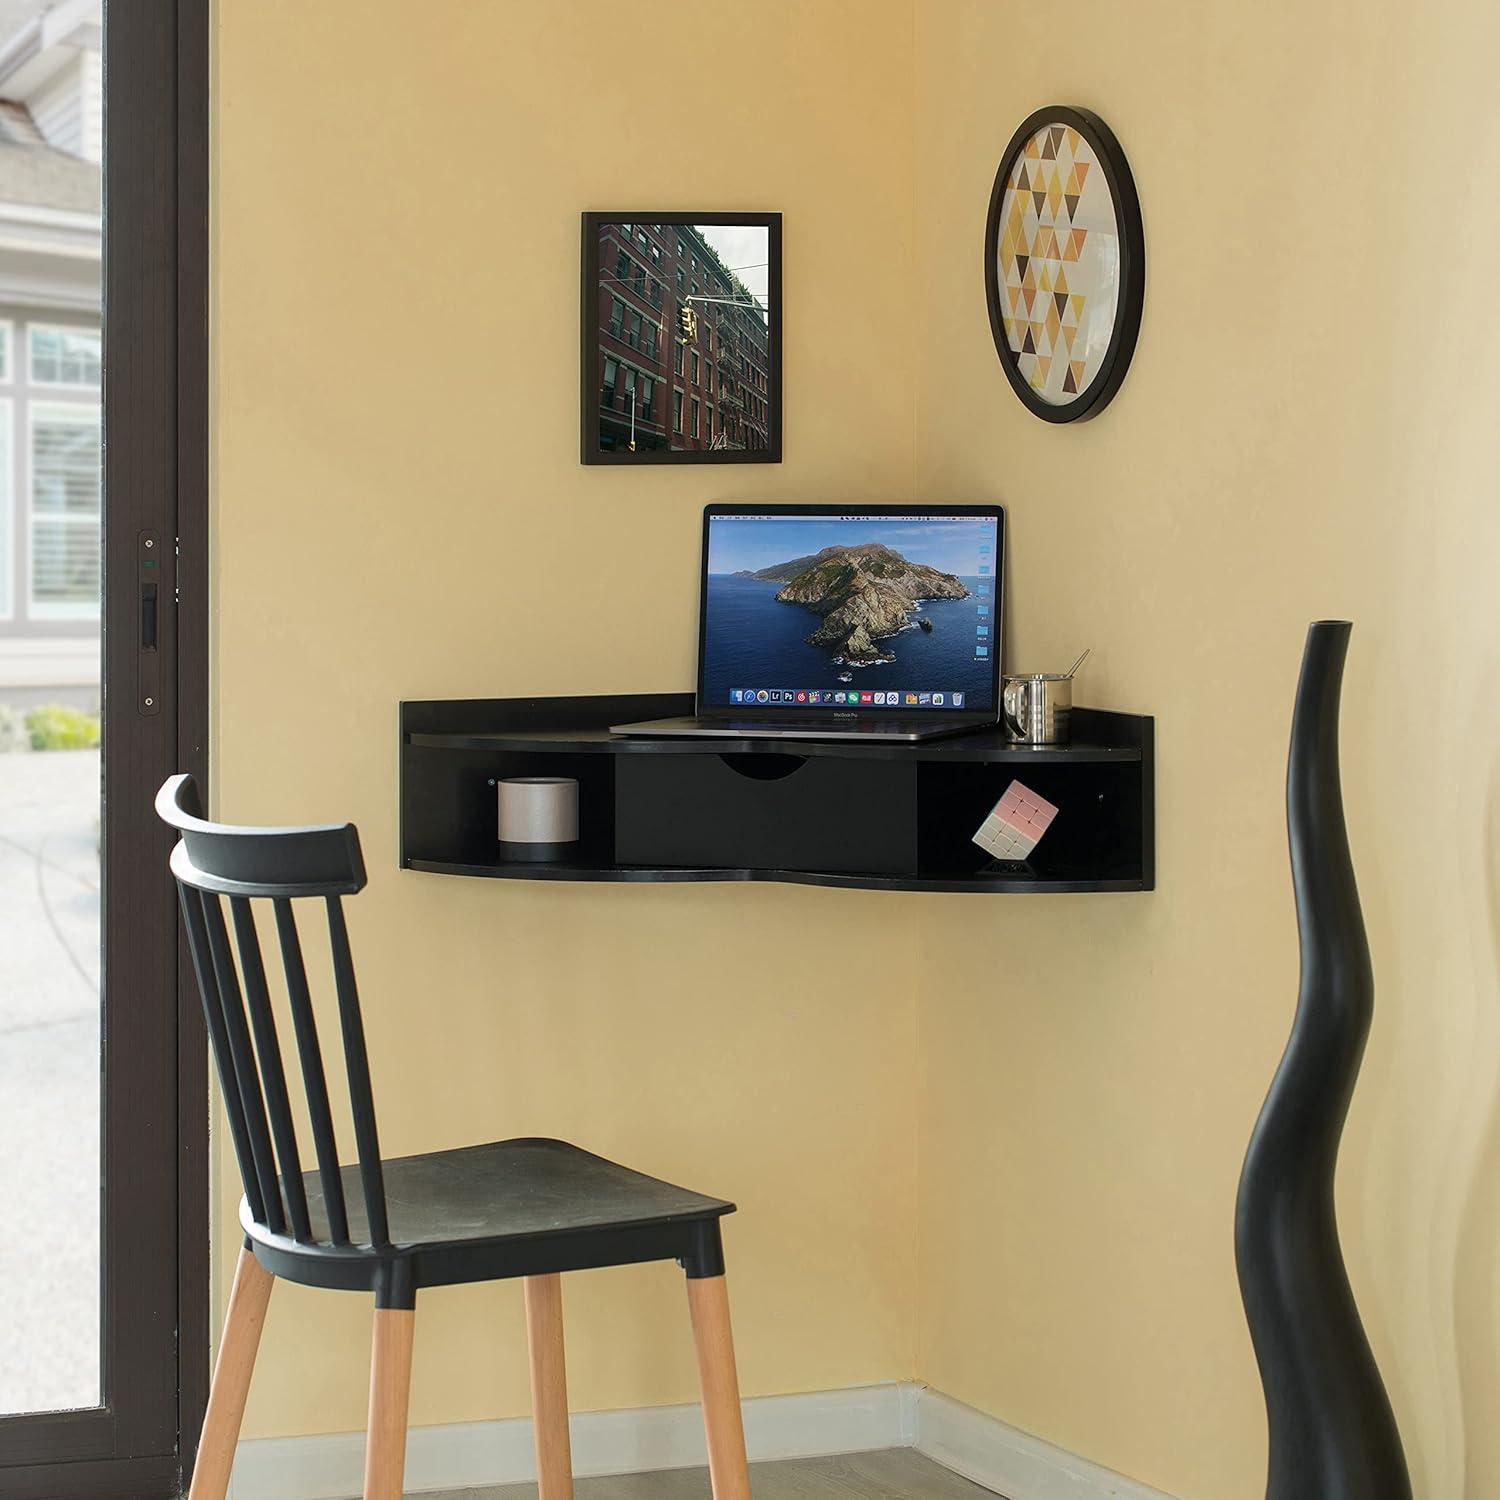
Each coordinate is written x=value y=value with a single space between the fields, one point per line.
x=215 y=863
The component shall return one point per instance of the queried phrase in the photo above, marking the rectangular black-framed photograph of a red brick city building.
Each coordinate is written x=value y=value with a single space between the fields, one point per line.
x=682 y=358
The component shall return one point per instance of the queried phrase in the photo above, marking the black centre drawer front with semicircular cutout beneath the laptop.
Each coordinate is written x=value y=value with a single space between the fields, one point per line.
x=767 y=812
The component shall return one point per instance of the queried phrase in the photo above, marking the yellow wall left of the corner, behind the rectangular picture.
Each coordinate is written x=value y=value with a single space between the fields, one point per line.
x=403 y=515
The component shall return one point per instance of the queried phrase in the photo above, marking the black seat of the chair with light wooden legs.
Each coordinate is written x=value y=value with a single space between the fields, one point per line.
x=509 y=1208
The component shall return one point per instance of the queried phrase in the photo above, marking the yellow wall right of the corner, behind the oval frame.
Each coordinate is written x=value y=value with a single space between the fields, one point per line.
x=1307 y=431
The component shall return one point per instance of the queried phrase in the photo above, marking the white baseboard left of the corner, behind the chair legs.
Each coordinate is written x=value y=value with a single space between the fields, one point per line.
x=469 y=1454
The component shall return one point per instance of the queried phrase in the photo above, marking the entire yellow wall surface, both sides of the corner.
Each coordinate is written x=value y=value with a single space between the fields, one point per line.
x=1307 y=431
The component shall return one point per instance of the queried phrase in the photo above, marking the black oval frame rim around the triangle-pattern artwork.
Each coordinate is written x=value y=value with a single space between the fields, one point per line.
x=1099 y=394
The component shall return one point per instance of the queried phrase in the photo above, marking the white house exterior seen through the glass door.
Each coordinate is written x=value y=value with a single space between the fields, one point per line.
x=50 y=268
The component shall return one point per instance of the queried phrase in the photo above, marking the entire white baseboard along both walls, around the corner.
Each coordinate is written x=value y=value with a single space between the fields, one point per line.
x=854 y=1421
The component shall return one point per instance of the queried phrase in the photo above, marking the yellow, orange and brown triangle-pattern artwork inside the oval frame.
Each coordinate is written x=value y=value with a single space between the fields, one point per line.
x=1058 y=262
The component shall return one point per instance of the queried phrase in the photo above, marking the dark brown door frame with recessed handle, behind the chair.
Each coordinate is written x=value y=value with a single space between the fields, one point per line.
x=155 y=1201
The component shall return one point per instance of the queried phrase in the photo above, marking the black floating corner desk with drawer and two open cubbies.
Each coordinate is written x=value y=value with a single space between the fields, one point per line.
x=872 y=817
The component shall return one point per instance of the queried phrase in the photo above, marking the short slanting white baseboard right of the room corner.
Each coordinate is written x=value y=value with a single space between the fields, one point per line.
x=1010 y=1462
